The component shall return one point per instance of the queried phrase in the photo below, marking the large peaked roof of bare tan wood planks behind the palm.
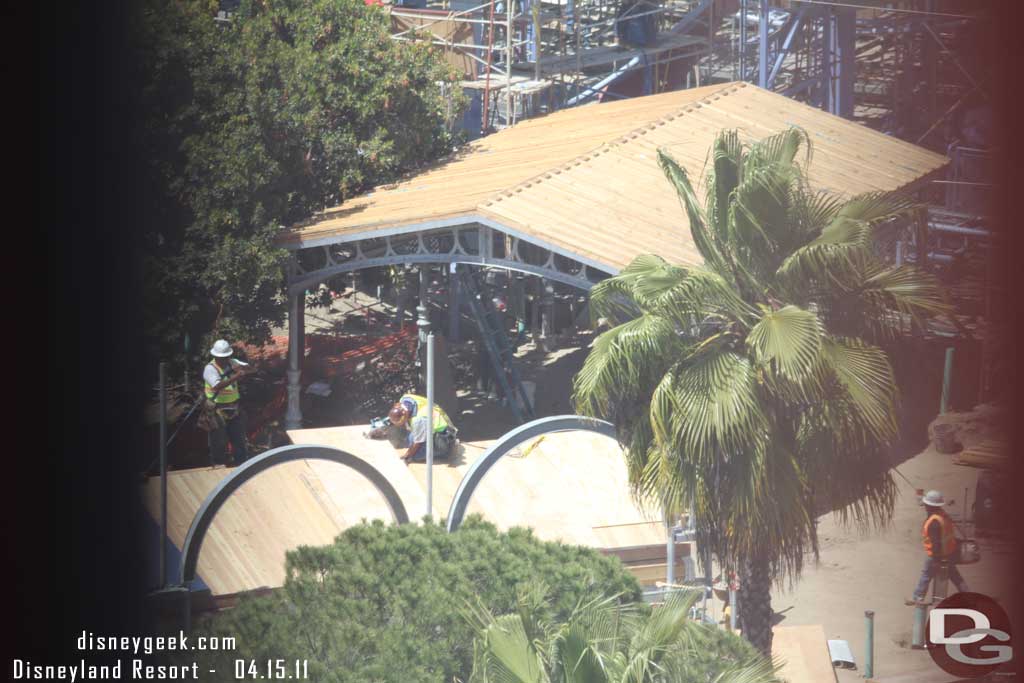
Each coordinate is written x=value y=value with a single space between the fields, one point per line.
x=586 y=180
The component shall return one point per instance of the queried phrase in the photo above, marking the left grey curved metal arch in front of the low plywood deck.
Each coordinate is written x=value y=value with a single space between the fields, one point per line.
x=231 y=484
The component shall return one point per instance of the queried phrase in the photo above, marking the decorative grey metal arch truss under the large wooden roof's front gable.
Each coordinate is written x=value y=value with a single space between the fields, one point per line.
x=461 y=244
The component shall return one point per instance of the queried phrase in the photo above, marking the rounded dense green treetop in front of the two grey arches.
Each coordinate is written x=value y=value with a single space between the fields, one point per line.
x=382 y=604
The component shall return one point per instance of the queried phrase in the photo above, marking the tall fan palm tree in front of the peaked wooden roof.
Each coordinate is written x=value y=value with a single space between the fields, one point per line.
x=756 y=390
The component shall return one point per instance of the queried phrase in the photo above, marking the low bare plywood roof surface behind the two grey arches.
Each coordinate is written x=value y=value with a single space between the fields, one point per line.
x=573 y=488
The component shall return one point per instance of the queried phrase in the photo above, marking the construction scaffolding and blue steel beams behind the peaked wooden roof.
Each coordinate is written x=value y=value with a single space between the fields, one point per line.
x=904 y=67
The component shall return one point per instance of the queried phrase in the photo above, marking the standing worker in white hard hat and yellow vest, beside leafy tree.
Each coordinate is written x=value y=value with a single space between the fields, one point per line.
x=221 y=378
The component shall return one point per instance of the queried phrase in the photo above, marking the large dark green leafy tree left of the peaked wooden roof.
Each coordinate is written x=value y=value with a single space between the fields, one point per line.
x=257 y=123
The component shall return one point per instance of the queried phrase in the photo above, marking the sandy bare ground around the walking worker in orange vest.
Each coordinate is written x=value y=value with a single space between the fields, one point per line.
x=877 y=570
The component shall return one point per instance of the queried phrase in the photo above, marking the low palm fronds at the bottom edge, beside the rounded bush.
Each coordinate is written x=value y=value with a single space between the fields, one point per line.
x=605 y=642
